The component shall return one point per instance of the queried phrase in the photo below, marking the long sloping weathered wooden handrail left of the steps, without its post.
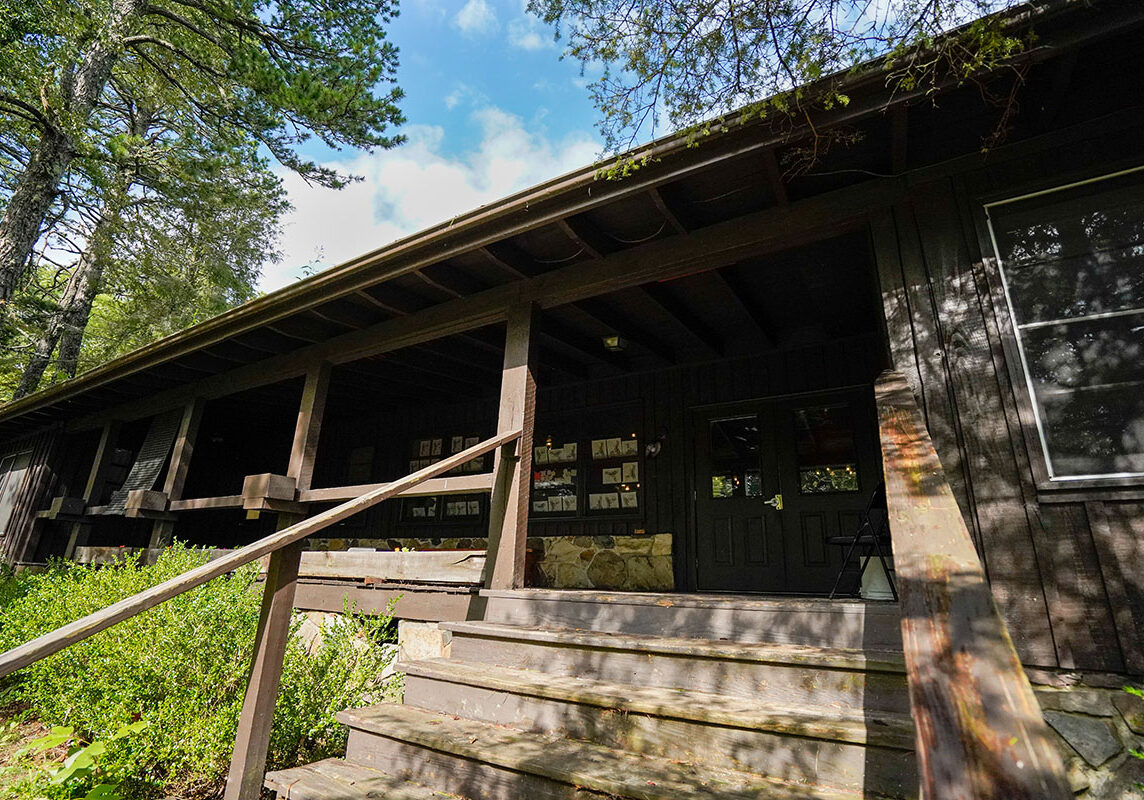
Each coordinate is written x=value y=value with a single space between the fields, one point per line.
x=94 y=623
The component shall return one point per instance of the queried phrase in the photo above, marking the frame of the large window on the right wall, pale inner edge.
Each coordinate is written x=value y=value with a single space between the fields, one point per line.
x=1014 y=347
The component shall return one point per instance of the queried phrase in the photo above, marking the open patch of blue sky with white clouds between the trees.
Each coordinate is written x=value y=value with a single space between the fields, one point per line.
x=491 y=110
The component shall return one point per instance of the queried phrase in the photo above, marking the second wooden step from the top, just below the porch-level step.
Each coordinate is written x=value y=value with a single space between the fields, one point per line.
x=788 y=675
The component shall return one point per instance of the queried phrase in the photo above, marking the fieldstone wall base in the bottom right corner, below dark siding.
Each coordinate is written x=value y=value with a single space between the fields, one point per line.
x=1095 y=731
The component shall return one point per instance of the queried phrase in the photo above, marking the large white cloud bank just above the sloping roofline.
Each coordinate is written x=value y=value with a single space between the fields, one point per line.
x=417 y=186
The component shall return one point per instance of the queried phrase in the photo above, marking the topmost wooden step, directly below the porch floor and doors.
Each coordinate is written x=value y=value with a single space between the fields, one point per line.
x=738 y=619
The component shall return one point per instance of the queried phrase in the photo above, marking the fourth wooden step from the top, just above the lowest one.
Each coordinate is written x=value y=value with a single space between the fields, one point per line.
x=483 y=762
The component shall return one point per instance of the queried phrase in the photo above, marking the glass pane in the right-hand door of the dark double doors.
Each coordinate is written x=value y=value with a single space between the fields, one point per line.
x=825 y=449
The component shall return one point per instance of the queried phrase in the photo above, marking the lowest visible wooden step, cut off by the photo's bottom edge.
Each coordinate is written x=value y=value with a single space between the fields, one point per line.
x=338 y=780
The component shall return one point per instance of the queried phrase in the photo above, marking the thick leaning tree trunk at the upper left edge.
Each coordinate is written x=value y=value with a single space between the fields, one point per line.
x=36 y=189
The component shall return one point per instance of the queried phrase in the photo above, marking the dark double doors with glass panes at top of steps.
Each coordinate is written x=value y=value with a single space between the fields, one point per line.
x=820 y=454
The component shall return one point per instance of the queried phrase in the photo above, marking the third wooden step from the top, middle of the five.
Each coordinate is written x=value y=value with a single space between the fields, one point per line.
x=829 y=746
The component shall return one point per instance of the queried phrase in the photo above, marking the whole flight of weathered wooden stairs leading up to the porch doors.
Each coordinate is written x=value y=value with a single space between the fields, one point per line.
x=562 y=695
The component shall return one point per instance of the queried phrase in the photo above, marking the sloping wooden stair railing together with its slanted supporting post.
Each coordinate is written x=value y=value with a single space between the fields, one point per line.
x=285 y=550
